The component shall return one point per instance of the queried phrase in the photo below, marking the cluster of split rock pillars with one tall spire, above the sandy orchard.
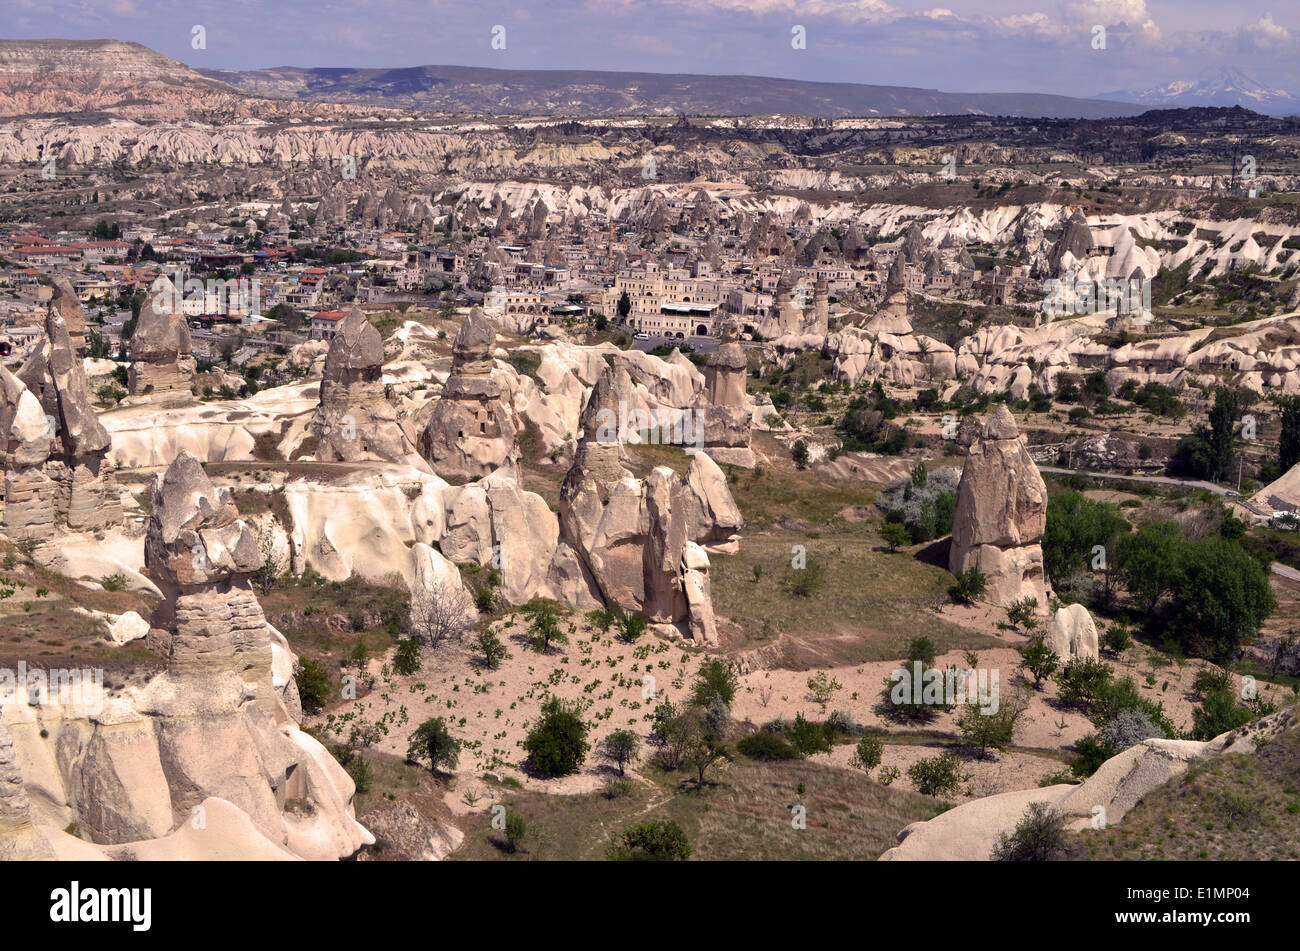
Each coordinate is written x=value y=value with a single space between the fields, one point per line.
x=640 y=539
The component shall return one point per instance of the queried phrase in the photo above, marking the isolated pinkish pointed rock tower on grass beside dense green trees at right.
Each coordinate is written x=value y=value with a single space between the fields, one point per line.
x=1002 y=514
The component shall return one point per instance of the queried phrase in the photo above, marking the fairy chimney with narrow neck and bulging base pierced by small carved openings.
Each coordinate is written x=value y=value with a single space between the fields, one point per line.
x=473 y=429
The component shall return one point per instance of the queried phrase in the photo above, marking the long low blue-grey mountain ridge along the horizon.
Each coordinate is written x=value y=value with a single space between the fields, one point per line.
x=591 y=93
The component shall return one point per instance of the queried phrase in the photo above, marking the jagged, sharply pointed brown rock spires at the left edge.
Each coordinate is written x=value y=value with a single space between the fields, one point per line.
x=85 y=493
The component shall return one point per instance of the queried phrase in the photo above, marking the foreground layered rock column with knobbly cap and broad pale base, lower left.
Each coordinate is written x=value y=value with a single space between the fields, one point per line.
x=218 y=724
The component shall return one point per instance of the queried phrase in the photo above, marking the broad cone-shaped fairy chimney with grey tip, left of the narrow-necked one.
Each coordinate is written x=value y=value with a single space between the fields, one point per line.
x=357 y=422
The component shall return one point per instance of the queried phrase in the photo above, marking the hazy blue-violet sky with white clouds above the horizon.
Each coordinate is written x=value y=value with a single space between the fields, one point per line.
x=964 y=46
